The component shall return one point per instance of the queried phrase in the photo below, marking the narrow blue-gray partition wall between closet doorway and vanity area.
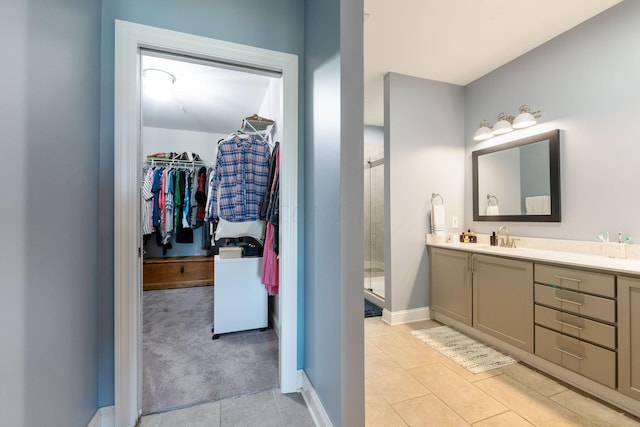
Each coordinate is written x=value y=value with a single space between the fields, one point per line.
x=334 y=347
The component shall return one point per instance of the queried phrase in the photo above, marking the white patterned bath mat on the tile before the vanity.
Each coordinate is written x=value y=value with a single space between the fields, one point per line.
x=466 y=352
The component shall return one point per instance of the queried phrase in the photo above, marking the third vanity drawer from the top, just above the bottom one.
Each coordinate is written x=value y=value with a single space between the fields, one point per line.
x=579 y=327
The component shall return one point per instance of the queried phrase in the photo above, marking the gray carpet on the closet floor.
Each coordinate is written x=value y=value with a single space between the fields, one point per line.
x=183 y=366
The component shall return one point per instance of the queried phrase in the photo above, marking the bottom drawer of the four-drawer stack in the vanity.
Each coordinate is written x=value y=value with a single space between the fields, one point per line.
x=588 y=360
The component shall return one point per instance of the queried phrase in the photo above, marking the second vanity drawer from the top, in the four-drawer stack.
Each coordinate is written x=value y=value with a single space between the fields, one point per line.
x=586 y=305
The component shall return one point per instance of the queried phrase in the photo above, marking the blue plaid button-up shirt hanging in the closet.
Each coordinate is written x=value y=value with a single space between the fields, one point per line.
x=240 y=178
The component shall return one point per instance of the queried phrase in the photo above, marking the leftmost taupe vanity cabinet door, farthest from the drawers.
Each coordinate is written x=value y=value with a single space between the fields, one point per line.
x=450 y=287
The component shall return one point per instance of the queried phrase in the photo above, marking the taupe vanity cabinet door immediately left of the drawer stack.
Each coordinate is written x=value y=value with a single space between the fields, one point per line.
x=503 y=299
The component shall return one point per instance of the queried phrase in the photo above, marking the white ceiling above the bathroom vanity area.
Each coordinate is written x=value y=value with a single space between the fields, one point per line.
x=457 y=41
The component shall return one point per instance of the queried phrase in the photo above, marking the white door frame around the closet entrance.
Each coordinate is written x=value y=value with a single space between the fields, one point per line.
x=129 y=39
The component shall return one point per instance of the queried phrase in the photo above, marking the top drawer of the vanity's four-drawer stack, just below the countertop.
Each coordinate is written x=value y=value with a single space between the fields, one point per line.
x=577 y=280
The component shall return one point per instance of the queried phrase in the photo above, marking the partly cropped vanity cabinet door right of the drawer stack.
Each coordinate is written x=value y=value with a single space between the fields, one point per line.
x=629 y=336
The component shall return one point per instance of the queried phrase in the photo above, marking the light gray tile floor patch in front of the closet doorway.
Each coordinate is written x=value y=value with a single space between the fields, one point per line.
x=268 y=408
